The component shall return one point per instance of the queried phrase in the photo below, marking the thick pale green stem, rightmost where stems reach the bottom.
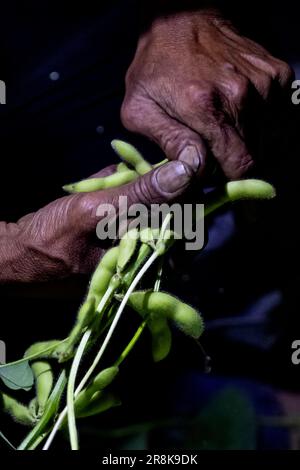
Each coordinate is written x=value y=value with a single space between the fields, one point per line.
x=70 y=390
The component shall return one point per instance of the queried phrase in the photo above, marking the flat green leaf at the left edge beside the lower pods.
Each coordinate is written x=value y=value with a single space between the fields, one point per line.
x=17 y=377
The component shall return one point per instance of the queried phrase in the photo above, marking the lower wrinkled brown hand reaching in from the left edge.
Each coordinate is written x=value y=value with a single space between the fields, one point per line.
x=60 y=239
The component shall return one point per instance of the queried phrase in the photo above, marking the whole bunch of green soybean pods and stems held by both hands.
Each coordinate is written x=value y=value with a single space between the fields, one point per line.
x=112 y=287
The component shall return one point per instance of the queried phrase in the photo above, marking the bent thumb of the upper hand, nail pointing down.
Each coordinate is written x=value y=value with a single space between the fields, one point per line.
x=176 y=140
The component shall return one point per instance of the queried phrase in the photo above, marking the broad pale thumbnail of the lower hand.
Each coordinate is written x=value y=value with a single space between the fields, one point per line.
x=173 y=176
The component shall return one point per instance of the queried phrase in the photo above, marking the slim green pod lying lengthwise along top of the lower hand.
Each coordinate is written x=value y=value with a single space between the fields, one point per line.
x=97 y=184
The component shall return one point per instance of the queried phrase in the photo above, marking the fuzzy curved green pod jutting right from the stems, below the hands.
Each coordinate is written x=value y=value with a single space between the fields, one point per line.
x=162 y=304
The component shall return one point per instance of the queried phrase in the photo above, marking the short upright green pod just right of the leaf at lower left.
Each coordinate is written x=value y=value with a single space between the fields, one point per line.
x=43 y=374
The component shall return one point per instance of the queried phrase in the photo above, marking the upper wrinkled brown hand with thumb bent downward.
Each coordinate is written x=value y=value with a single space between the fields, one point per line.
x=189 y=86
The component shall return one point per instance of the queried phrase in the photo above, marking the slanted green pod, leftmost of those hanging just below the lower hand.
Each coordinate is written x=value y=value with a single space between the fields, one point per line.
x=103 y=274
